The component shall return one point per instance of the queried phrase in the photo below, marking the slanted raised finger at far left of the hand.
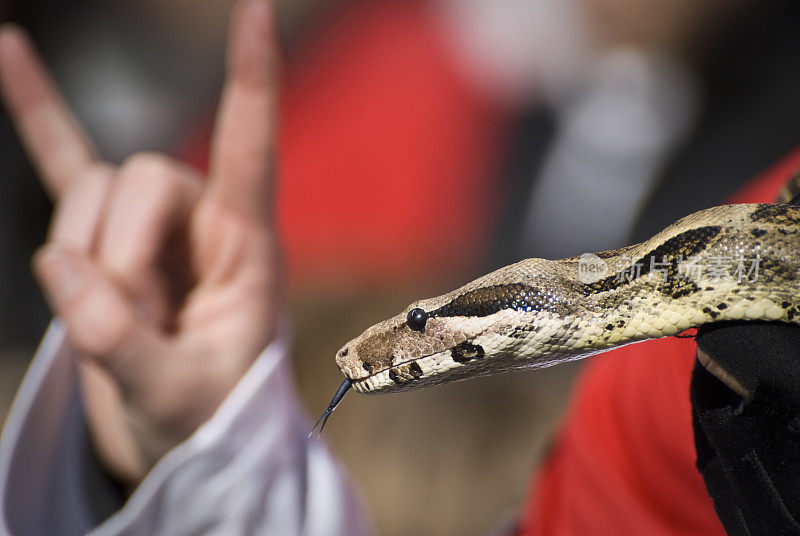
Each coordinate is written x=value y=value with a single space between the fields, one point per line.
x=54 y=141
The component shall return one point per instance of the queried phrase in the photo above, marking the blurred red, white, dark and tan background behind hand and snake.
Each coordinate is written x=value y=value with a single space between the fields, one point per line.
x=423 y=142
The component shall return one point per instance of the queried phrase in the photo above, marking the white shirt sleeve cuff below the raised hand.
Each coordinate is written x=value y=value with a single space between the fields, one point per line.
x=248 y=470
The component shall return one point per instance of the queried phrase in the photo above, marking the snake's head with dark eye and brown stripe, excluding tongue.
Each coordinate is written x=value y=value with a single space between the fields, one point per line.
x=471 y=331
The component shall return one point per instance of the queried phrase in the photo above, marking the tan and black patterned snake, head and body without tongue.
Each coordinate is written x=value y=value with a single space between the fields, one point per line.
x=733 y=262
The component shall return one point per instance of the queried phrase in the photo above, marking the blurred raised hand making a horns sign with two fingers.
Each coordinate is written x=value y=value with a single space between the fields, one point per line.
x=167 y=284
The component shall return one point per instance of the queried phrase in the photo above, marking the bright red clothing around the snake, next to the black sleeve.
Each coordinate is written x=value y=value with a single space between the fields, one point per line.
x=624 y=459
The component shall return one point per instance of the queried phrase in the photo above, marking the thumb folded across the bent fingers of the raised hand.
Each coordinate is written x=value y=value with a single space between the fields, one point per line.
x=100 y=321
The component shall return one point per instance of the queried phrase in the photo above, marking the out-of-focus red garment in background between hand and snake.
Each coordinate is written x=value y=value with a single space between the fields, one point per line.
x=385 y=155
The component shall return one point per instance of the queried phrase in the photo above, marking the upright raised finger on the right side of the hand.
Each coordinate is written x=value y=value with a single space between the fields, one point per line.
x=241 y=149
